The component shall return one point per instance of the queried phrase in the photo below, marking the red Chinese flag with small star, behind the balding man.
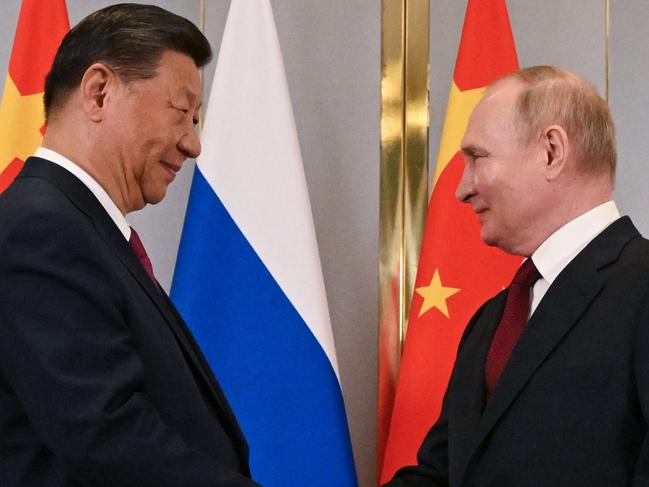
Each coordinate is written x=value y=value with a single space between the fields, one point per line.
x=457 y=272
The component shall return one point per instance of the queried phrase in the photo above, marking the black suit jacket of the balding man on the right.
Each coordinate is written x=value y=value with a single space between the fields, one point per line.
x=572 y=405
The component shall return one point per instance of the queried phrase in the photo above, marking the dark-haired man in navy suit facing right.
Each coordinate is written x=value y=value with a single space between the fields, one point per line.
x=101 y=382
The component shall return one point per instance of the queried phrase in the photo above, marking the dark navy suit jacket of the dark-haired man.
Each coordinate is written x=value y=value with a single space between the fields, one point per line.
x=101 y=383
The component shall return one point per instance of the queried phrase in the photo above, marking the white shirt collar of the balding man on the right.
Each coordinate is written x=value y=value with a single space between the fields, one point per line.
x=562 y=246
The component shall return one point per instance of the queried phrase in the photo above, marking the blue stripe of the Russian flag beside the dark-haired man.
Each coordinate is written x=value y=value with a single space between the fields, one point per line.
x=274 y=372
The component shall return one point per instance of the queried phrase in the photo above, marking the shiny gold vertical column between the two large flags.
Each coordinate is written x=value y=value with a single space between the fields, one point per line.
x=404 y=181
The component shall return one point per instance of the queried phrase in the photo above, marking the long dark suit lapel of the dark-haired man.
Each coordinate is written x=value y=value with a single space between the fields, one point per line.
x=86 y=202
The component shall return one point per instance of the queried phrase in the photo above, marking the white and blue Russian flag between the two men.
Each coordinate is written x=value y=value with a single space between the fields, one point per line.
x=248 y=279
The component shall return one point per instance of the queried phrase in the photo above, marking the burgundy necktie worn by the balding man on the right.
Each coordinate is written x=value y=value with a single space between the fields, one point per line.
x=512 y=324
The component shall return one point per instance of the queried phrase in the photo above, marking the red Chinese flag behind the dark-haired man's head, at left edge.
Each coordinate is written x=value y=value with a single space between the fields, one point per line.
x=41 y=27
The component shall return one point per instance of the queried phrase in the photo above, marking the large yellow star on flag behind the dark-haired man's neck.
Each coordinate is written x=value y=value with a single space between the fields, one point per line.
x=21 y=118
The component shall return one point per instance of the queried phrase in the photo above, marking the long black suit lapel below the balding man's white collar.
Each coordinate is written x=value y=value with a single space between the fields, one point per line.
x=566 y=300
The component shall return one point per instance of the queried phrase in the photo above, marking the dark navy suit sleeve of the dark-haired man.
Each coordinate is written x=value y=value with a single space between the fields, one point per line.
x=67 y=355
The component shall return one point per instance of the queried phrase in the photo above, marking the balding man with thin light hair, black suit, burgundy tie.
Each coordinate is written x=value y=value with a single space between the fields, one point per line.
x=551 y=382
